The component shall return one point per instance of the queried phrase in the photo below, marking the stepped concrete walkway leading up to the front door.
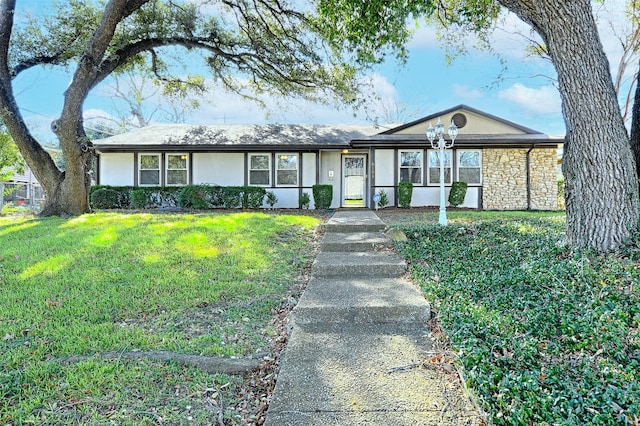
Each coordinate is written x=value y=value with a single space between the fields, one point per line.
x=358 y=343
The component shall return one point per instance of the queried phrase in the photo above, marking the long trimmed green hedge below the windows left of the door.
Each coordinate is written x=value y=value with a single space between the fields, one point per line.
x=189 y=197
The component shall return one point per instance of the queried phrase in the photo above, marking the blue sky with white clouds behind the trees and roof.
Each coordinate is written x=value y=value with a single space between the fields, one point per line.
x=523 y=93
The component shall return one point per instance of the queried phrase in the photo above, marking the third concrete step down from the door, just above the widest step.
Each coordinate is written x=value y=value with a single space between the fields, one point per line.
x=358 y=264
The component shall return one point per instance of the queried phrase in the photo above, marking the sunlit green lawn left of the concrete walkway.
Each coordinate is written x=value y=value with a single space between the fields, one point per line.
x=192 y=284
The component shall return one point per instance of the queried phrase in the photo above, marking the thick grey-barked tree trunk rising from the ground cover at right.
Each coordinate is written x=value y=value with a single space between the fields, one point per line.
x=599 y=168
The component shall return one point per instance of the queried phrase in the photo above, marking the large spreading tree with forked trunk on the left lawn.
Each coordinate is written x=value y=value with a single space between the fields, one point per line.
x=248 y=46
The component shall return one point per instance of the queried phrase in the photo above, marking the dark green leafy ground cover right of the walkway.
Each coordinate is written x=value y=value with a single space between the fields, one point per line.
x=545 y=335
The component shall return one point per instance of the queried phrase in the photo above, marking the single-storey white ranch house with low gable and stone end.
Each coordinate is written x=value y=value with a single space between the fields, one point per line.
x=506 y=166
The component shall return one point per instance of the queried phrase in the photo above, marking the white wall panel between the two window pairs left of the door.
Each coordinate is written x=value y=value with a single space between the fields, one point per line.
x=218 y=168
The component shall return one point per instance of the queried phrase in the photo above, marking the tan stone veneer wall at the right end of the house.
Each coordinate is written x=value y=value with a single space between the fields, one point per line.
x=504 y=179
